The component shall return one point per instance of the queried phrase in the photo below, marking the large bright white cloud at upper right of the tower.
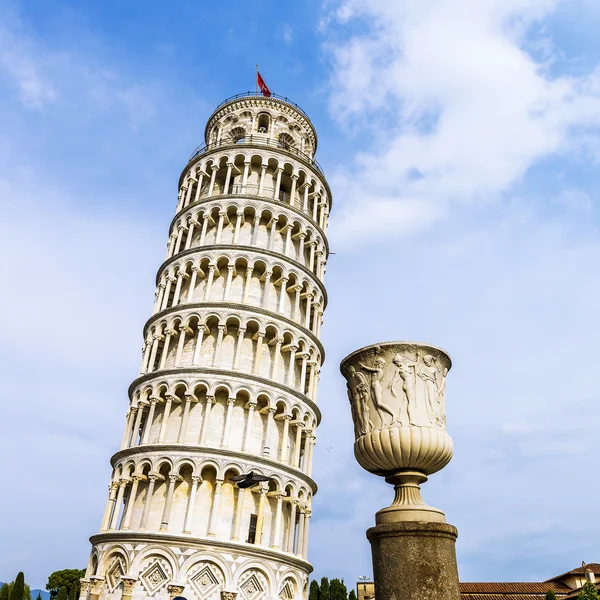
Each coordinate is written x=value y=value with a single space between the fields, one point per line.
x=450 y=106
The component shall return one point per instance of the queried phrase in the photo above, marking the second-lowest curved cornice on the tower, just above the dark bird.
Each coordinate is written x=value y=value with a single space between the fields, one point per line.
x=167 y=449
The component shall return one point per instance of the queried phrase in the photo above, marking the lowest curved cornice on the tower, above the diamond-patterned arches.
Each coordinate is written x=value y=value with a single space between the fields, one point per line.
x=250 y=550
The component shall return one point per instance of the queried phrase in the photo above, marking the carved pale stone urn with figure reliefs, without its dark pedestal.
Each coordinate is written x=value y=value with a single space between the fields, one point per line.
x=397 y=393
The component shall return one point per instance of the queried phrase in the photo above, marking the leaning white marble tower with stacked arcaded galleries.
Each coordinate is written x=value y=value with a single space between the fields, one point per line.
x=229 y=376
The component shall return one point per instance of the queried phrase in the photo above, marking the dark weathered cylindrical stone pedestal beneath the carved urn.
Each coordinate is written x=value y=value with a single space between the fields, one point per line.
x=414 y=561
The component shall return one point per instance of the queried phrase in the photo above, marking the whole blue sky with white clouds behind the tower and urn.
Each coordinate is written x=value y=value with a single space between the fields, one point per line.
x=461 y=143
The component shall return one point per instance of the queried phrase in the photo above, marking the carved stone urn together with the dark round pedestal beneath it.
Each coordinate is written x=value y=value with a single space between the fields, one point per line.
x=397 y=393
